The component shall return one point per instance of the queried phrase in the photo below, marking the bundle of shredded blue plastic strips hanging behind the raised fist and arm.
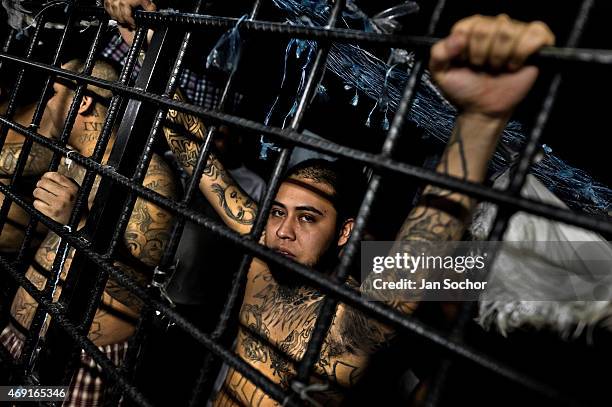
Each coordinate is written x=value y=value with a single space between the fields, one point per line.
x=383 y=83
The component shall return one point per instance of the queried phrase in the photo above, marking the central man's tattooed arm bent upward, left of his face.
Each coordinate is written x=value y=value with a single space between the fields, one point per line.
x=184 y=134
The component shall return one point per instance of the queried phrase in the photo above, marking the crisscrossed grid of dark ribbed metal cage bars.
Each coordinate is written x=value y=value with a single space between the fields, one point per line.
x=508 y=201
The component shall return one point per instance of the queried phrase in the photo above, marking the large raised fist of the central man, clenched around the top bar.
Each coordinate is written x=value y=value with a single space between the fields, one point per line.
x=479 y=67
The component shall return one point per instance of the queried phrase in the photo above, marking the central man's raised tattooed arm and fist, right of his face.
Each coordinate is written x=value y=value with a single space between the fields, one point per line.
x=485 y=102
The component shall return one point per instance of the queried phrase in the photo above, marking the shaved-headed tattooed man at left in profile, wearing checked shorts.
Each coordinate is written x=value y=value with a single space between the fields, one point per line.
x=140 y=250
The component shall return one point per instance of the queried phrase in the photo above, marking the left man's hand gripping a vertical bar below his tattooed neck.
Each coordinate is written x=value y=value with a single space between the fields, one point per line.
x=55 y=195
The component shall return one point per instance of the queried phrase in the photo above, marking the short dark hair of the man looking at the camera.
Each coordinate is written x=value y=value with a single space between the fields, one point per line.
x=347 y=181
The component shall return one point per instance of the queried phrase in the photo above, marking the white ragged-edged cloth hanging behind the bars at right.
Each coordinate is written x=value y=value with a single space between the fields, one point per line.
x=530 y=269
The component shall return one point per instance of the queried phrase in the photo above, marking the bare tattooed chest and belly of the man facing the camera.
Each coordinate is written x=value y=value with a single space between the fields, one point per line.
x=284 y=318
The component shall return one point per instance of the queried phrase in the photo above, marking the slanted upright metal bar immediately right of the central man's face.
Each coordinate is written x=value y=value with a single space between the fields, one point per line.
x=327 y=311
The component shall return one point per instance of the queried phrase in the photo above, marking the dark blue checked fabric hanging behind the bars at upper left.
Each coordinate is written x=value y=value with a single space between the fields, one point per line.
x=196 y=87
